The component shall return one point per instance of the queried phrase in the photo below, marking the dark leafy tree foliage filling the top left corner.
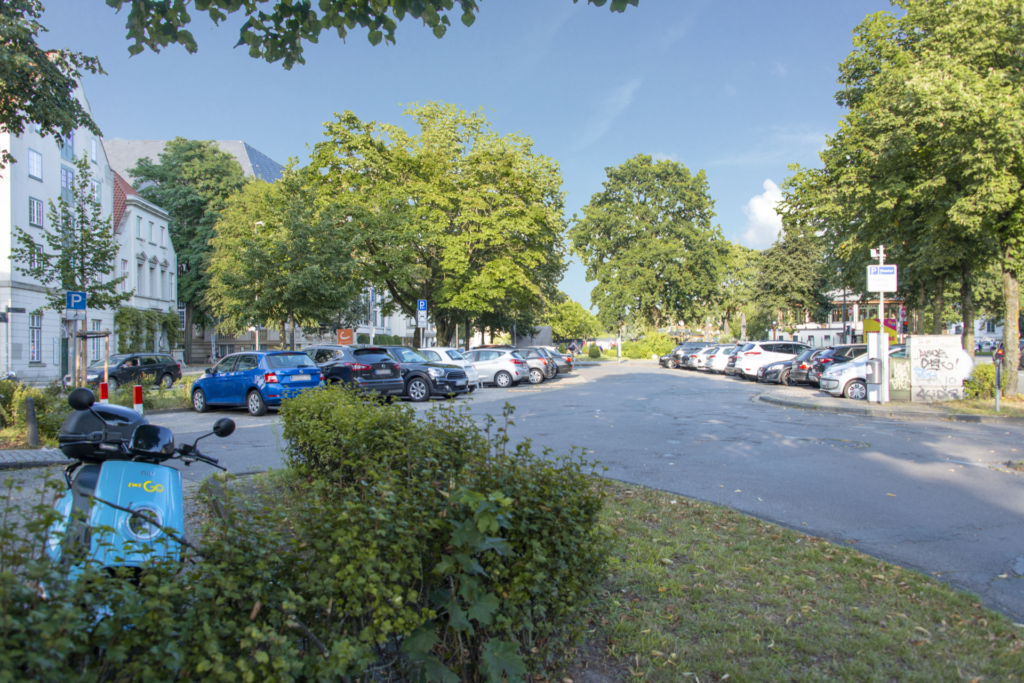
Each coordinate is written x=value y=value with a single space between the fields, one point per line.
x=37 y=87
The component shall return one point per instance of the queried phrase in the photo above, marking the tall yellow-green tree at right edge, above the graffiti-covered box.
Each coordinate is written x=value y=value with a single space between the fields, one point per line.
x=931 y=154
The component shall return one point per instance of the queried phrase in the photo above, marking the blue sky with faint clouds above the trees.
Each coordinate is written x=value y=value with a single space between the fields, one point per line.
x=740 y=89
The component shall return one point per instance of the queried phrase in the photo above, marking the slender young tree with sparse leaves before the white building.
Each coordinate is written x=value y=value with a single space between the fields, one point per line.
x=78 y=252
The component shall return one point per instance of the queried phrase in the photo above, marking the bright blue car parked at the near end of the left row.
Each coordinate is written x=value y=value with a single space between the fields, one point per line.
x=255 y=380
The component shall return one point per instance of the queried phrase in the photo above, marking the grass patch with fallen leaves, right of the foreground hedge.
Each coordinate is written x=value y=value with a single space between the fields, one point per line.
x=700 y=592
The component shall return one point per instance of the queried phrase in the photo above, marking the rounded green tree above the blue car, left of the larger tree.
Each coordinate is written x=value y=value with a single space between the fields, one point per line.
x=277 y=259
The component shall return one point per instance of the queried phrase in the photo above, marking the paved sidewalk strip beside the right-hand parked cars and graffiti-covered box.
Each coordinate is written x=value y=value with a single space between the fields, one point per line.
x=810 y=400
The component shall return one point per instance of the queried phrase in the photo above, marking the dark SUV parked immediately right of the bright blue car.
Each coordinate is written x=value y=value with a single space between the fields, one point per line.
x=371 y=369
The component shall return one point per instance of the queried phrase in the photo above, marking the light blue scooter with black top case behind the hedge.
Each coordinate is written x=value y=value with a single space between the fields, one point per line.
x=120 y=487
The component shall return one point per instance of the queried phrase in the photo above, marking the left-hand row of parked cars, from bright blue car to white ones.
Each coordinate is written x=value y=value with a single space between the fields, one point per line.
x=259 y=380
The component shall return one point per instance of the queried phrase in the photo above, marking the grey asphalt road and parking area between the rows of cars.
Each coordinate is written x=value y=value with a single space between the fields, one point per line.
x=920 y=494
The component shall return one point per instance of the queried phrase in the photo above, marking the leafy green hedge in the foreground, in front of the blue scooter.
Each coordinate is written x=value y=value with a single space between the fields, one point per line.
x=413 y=546
